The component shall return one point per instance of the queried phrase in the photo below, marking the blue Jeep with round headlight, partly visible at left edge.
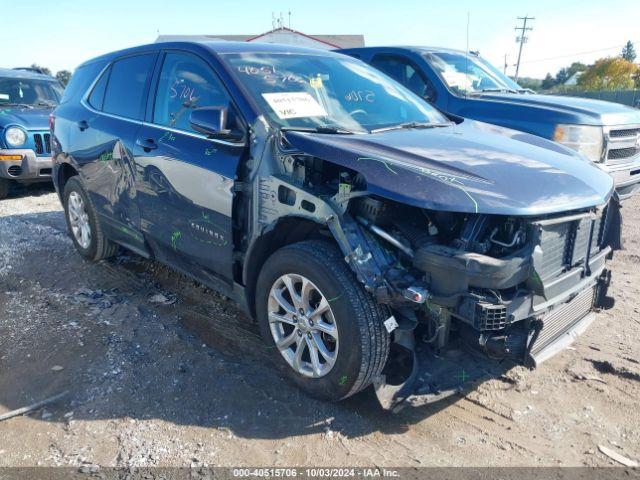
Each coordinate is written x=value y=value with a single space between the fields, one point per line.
x=26 y=100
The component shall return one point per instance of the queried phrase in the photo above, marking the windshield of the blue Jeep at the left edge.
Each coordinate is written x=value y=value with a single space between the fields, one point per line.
x=29 y=92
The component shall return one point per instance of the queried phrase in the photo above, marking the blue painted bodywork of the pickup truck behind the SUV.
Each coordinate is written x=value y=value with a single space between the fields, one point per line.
x=527 y=112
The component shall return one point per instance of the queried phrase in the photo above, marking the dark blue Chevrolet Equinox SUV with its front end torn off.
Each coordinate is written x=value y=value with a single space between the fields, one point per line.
x=364 y=231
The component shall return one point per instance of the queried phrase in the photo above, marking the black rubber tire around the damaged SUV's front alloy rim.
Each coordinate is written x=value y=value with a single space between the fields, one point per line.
x=363 y=339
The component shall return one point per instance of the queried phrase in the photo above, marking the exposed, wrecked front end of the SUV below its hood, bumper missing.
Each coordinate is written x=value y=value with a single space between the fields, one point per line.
x=497 y=288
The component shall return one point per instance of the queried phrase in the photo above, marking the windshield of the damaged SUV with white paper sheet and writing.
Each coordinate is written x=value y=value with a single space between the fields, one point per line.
x=306 y=91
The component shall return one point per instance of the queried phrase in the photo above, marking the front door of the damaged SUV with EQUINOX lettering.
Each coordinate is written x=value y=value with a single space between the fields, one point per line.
x=184 y=179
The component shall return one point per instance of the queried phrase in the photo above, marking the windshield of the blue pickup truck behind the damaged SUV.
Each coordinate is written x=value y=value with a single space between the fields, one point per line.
x=470 y=74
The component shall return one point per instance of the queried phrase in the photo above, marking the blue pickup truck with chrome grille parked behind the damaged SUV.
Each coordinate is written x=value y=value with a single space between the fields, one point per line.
x=607 y=133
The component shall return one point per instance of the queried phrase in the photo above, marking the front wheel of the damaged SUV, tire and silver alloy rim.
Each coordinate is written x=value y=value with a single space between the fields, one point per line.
x=324 y=329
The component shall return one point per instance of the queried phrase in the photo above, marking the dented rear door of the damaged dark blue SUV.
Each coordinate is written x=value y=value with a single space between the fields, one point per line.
x=105 y=140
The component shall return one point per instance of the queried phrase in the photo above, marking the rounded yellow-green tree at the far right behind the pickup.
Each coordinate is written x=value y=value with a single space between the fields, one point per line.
x=612 y=73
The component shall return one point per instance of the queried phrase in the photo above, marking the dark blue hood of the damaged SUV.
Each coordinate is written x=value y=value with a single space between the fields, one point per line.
x=471 y=167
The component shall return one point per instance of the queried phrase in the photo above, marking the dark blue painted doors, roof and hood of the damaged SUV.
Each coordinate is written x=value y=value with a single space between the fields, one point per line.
x=176 y=201
